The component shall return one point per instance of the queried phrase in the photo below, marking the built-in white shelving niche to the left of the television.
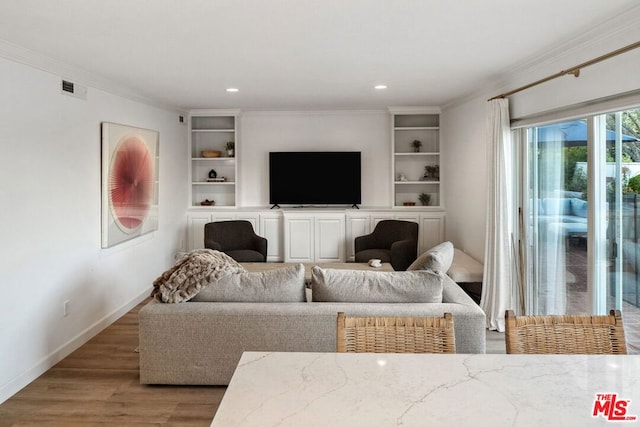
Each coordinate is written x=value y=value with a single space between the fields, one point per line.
x=210 y=131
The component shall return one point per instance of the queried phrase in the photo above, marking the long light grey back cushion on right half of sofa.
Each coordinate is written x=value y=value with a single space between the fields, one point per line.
x=332 y=285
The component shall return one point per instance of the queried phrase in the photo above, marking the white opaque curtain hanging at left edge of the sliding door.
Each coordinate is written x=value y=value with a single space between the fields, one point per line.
x=499 y=262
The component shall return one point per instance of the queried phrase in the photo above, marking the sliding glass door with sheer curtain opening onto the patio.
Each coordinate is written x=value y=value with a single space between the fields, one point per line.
x=581 y=215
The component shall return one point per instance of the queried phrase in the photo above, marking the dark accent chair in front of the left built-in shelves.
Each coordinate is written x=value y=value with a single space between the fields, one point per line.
x=237 y=239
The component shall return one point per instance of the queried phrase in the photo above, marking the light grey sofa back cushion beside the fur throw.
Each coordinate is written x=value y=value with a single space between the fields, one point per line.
x=281 y=285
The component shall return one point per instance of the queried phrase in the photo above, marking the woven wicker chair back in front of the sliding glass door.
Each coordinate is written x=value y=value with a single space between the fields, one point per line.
x=565 y=334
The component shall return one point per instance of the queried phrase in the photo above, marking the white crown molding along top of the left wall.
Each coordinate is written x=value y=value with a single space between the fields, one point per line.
x=36 y=60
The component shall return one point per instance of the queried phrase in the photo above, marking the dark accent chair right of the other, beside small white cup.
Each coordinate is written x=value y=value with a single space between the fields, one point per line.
x=392 y=241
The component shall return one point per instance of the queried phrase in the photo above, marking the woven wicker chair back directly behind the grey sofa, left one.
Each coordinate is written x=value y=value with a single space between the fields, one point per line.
x=395 y=334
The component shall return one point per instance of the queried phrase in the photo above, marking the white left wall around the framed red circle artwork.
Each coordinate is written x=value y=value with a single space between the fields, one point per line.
x=50 y=219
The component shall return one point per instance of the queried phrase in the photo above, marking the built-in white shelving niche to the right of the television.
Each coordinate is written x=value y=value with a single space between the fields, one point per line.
x=410 y=177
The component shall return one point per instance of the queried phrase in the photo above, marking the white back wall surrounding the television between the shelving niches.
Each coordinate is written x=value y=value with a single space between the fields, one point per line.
x=364 y=131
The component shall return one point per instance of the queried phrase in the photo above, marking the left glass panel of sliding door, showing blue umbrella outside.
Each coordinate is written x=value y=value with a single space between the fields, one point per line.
x=557 y=212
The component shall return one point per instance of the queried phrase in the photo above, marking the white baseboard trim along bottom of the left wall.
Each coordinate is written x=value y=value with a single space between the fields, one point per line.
x=24 y=379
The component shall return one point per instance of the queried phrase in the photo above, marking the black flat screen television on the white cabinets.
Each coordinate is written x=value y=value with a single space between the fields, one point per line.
x=314 y=178
